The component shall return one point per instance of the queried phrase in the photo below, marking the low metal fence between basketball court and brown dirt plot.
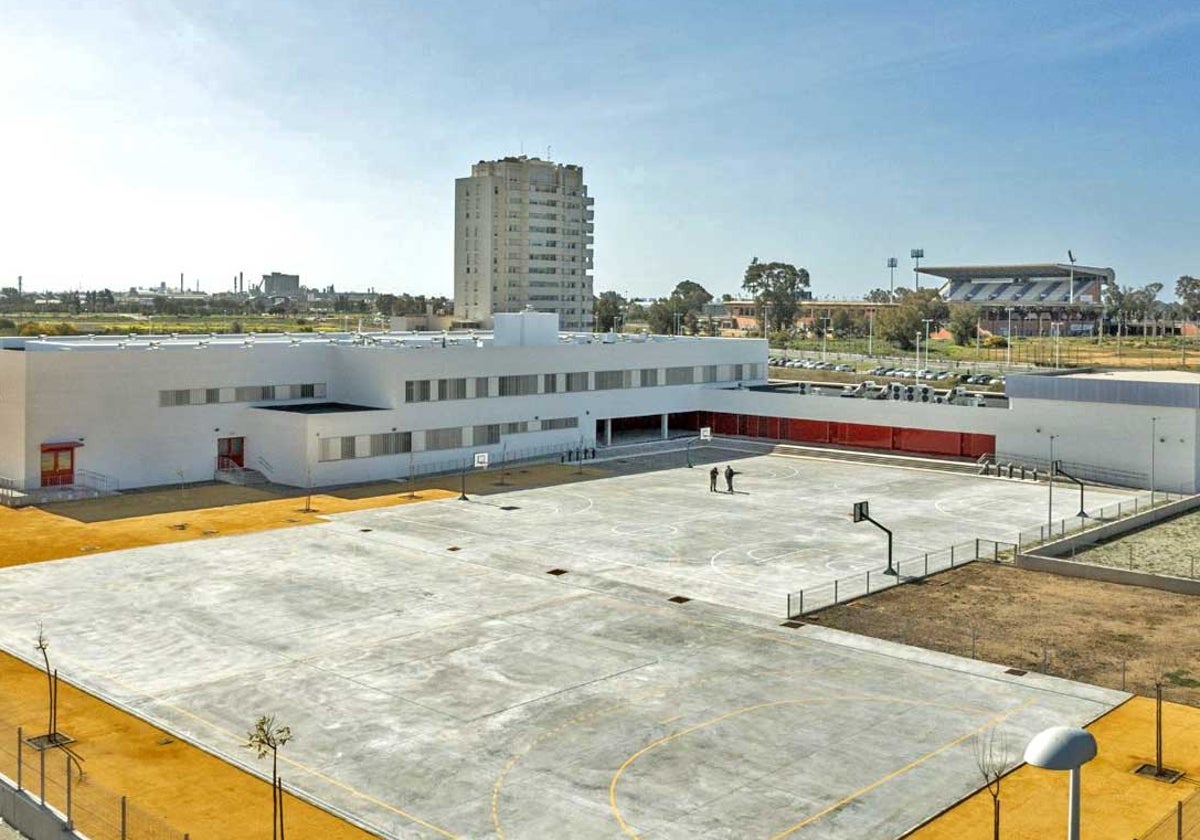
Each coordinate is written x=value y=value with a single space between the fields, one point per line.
x=911 y=569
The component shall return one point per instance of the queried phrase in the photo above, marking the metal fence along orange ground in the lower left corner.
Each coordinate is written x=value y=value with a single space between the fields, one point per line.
x=56 y=779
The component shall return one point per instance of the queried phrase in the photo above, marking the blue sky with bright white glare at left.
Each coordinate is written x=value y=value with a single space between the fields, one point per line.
x=142 y=141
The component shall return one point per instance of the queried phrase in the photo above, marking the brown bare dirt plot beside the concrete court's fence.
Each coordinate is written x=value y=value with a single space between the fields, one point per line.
x=1083 y=631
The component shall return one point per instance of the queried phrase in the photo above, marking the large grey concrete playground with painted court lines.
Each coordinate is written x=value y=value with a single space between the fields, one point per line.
x=441 y=683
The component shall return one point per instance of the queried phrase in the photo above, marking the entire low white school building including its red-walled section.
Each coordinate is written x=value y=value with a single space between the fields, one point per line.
x=321 y=410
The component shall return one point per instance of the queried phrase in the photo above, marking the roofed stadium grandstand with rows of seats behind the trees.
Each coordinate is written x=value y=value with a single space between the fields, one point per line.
x=1040 y=296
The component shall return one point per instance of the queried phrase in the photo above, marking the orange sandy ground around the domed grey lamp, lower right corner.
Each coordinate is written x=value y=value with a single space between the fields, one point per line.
x=1117 y=805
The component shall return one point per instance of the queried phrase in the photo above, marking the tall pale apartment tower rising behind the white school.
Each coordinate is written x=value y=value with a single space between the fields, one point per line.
x=524 y=239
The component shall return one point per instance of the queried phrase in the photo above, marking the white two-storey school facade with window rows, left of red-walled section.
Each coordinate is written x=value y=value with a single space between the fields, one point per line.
x=152 y=412
